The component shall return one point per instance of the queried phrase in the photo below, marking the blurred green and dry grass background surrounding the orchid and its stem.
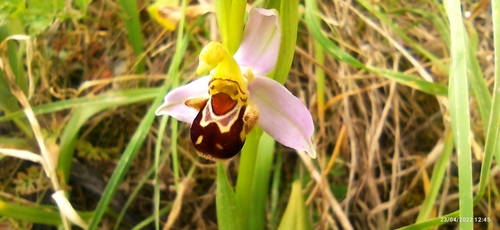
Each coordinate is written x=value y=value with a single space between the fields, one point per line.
x=403 y=95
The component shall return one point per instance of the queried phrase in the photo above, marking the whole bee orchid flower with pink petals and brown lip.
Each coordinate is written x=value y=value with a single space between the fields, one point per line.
x=224 y=106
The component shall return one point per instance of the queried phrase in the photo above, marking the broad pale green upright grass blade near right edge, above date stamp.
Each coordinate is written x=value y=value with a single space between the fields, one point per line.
x=459 y=111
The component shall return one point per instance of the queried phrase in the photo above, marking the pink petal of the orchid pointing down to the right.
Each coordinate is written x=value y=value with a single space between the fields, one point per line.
x=282 y=115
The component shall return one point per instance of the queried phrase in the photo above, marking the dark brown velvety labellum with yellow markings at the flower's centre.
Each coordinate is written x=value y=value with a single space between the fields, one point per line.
x=219 y=130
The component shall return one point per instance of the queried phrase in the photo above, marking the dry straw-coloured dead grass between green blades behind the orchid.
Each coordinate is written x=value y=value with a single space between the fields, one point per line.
x=383 y=137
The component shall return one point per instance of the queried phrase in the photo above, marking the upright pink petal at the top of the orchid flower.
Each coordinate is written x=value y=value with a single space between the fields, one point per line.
x=261 y=41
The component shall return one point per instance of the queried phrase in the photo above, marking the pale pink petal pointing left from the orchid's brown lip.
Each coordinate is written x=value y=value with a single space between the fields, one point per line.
x=174 y=101
